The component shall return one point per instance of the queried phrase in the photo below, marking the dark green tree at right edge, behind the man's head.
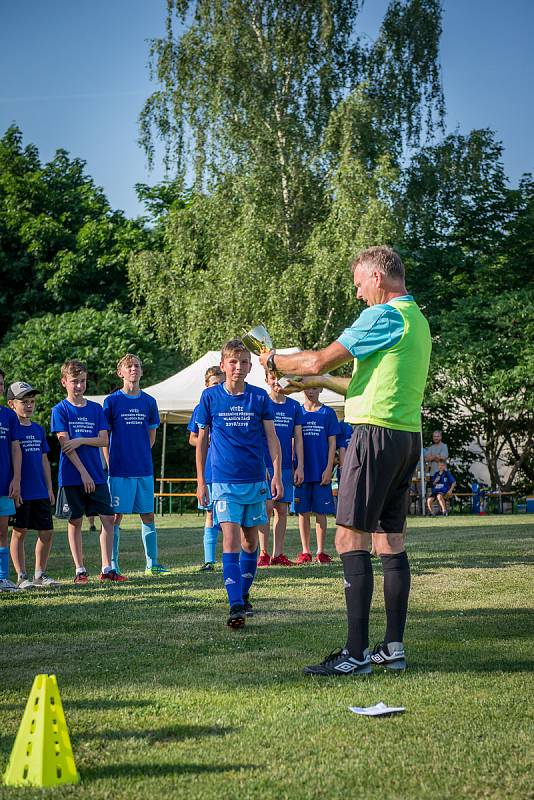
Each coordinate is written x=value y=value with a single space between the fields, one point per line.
x=466 y=233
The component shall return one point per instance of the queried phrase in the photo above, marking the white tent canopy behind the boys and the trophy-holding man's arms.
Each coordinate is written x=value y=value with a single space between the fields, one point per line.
x=178 y=395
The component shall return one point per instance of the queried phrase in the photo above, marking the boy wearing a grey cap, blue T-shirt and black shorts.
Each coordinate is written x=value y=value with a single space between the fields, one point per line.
x=35 y=512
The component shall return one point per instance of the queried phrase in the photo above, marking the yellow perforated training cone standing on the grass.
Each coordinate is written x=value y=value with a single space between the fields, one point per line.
x=42 y=753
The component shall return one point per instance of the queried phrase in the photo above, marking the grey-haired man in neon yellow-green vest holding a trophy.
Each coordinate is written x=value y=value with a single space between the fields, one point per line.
x=390 y=344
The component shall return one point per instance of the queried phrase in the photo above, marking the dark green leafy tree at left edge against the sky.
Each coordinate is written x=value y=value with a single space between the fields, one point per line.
x=61 y=245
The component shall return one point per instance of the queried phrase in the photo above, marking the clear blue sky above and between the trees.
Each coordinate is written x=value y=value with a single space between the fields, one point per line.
x=74 y=75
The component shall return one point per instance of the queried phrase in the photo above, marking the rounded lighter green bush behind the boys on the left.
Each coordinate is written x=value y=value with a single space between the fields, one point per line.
x=34 y=351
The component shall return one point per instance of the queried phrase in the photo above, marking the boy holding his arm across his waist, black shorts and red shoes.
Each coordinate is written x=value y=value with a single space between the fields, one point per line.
x=81 y=428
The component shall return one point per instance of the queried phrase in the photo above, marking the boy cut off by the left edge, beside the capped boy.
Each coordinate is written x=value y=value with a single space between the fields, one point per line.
x=10 y=462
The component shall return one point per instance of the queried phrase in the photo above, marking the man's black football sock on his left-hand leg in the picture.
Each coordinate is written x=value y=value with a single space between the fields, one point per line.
x=358 y=573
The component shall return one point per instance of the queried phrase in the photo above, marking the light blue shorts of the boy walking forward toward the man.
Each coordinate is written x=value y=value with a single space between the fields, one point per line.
x=240 y=503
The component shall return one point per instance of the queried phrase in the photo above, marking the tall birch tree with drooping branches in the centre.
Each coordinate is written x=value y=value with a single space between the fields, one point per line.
x=275 y=109
